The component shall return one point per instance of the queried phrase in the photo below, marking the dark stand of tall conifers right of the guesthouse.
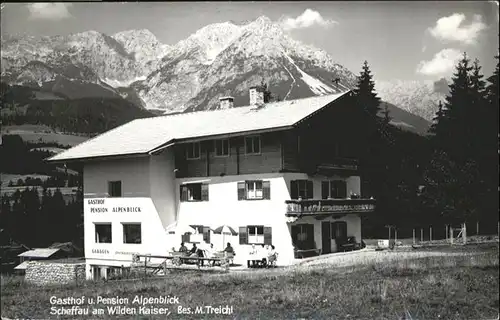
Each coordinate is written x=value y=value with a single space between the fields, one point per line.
x=448 y=177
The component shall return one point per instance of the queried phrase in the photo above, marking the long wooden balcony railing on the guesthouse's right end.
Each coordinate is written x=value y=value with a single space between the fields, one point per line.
x=325 y=206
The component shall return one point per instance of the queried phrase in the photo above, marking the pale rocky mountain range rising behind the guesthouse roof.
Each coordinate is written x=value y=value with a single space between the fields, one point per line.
x=217 y=60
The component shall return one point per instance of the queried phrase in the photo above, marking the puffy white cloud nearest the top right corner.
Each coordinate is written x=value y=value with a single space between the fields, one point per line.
x=452 y=28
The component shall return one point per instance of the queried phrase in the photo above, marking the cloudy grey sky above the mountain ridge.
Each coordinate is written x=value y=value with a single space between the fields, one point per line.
x=400 y=40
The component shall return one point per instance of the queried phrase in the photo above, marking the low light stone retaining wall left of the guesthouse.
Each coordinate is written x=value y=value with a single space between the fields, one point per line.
x=54 y=273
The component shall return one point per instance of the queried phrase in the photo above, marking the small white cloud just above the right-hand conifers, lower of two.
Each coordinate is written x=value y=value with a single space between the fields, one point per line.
x=441 y=64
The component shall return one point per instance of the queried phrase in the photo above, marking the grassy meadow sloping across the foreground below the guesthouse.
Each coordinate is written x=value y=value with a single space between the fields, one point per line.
x=460 y=283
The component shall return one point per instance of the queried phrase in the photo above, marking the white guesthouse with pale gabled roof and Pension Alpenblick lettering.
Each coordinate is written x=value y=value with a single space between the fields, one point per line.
x=282 y=173
